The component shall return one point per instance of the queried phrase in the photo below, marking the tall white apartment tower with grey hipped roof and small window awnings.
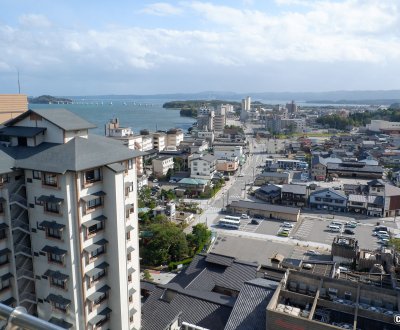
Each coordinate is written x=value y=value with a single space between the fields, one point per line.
x=68 y=223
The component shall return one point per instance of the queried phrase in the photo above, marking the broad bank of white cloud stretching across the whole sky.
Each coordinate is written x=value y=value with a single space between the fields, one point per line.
x=357 y=32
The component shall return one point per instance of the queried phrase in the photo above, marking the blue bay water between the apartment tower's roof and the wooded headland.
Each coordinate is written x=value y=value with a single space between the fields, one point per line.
x=136 y=114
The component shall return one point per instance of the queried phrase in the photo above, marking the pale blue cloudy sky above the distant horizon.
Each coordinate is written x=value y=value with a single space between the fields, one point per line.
x=96 y=47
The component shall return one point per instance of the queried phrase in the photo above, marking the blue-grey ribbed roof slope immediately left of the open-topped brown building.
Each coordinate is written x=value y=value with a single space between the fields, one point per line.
x=249 y=312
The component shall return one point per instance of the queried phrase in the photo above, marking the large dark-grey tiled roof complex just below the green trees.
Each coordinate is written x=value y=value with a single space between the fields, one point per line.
x=190 y=294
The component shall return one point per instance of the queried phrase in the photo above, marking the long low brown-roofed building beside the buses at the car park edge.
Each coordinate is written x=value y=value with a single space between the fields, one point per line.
x=262 y=210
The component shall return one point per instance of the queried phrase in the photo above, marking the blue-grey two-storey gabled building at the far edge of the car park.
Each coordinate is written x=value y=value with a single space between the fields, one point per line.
x=328 y=199
